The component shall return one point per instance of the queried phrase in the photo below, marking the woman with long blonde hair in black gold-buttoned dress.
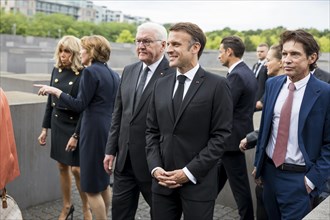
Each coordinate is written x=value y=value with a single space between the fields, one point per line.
x=64 y=123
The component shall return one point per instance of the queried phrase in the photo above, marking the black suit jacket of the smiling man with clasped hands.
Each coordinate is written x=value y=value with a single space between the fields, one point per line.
x=196 y=138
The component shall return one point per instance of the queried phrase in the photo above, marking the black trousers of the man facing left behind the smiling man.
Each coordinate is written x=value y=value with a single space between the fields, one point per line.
x=232 y=166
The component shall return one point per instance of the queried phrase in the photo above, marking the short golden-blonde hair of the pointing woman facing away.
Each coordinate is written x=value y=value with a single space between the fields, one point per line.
x=97 y=47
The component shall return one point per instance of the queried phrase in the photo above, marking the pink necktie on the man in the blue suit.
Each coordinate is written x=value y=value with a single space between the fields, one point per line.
x=283 y=129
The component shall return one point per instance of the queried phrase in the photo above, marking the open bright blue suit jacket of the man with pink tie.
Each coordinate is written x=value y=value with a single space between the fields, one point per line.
x=313 y=131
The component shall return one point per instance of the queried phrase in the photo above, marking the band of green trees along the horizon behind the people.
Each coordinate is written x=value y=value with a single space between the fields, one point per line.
x=57 y=25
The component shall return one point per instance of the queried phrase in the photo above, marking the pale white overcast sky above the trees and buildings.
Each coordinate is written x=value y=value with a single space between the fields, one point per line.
x=237 y=15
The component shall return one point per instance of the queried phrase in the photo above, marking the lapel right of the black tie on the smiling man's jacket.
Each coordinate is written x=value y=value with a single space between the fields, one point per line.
x=194 y=86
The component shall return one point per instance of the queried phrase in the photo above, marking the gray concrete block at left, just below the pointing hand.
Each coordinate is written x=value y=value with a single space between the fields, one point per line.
x=39 y=179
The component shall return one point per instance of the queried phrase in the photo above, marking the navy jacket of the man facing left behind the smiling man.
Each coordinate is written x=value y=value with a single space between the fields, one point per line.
x=243 y=86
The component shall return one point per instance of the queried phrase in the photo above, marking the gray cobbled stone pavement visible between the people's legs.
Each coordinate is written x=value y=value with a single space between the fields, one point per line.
x=51 y=210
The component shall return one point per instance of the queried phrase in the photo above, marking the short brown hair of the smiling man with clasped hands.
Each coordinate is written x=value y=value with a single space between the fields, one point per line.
x=196 y=33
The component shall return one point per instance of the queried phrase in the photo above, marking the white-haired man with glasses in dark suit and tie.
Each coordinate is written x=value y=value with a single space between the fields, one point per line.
x=126 y=140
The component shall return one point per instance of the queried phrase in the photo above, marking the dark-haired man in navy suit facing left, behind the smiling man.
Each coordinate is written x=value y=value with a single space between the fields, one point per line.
x=243 y=86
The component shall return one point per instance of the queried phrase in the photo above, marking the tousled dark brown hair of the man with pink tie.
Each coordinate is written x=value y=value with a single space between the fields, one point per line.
x=310 y=45
